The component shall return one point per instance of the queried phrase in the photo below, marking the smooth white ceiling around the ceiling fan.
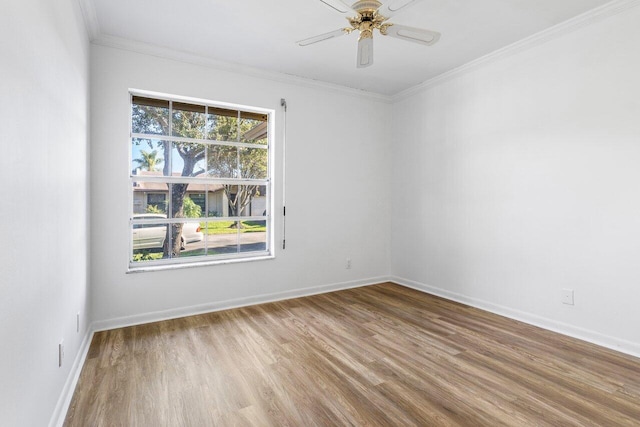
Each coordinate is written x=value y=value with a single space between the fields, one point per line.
x=262 y=34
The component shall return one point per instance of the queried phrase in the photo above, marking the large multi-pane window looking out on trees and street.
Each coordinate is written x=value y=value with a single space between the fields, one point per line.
x=200 y=180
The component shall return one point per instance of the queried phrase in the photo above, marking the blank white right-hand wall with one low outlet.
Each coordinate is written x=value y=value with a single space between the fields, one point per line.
x=522 y=177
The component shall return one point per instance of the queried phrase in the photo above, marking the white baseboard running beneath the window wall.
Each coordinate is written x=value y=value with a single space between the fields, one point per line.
x=174 y=313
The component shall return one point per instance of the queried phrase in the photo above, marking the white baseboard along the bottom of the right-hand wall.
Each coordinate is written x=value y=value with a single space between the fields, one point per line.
x=613 y=343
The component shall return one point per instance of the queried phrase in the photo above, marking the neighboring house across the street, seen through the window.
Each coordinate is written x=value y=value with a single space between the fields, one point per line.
x=211 y=198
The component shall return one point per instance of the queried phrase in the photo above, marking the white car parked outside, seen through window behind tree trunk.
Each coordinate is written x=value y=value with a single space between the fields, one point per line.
x=152 y=236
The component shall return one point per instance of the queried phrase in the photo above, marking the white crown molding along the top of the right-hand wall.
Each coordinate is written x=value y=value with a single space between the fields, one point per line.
x=588 y=18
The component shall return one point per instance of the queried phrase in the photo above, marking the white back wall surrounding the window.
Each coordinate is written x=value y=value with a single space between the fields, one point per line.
x=337 y=182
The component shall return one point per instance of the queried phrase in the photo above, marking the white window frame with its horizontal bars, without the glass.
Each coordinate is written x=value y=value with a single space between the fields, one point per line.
x=193 y=261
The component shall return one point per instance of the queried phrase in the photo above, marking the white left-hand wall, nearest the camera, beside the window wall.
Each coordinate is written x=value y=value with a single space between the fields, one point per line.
x=44 y=82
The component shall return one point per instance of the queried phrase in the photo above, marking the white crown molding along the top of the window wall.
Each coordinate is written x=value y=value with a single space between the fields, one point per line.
x=191 y=58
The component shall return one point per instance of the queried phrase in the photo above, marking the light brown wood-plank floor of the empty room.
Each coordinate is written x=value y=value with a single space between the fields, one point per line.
x=381 y=355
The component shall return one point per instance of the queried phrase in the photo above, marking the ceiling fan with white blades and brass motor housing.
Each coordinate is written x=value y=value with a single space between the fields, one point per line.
x=371 y=15
